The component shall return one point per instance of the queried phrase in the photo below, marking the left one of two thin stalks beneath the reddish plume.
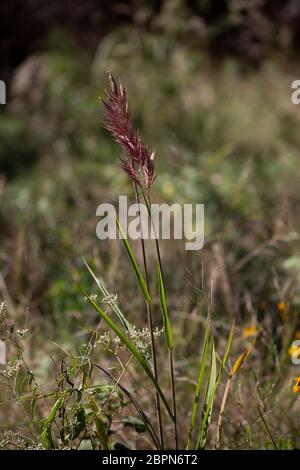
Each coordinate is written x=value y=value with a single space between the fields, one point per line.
x=150 y=324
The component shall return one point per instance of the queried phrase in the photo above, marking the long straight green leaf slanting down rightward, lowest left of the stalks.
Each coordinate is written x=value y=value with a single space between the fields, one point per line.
x=126 y=341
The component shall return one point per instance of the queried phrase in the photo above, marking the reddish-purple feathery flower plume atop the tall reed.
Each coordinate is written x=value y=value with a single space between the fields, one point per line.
x=138 y=159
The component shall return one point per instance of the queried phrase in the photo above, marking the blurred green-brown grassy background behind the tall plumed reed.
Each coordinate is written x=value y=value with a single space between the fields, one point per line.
x=225 y=134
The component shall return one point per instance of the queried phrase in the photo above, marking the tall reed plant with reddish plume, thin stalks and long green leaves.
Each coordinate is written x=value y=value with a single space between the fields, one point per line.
x=138 y=162
